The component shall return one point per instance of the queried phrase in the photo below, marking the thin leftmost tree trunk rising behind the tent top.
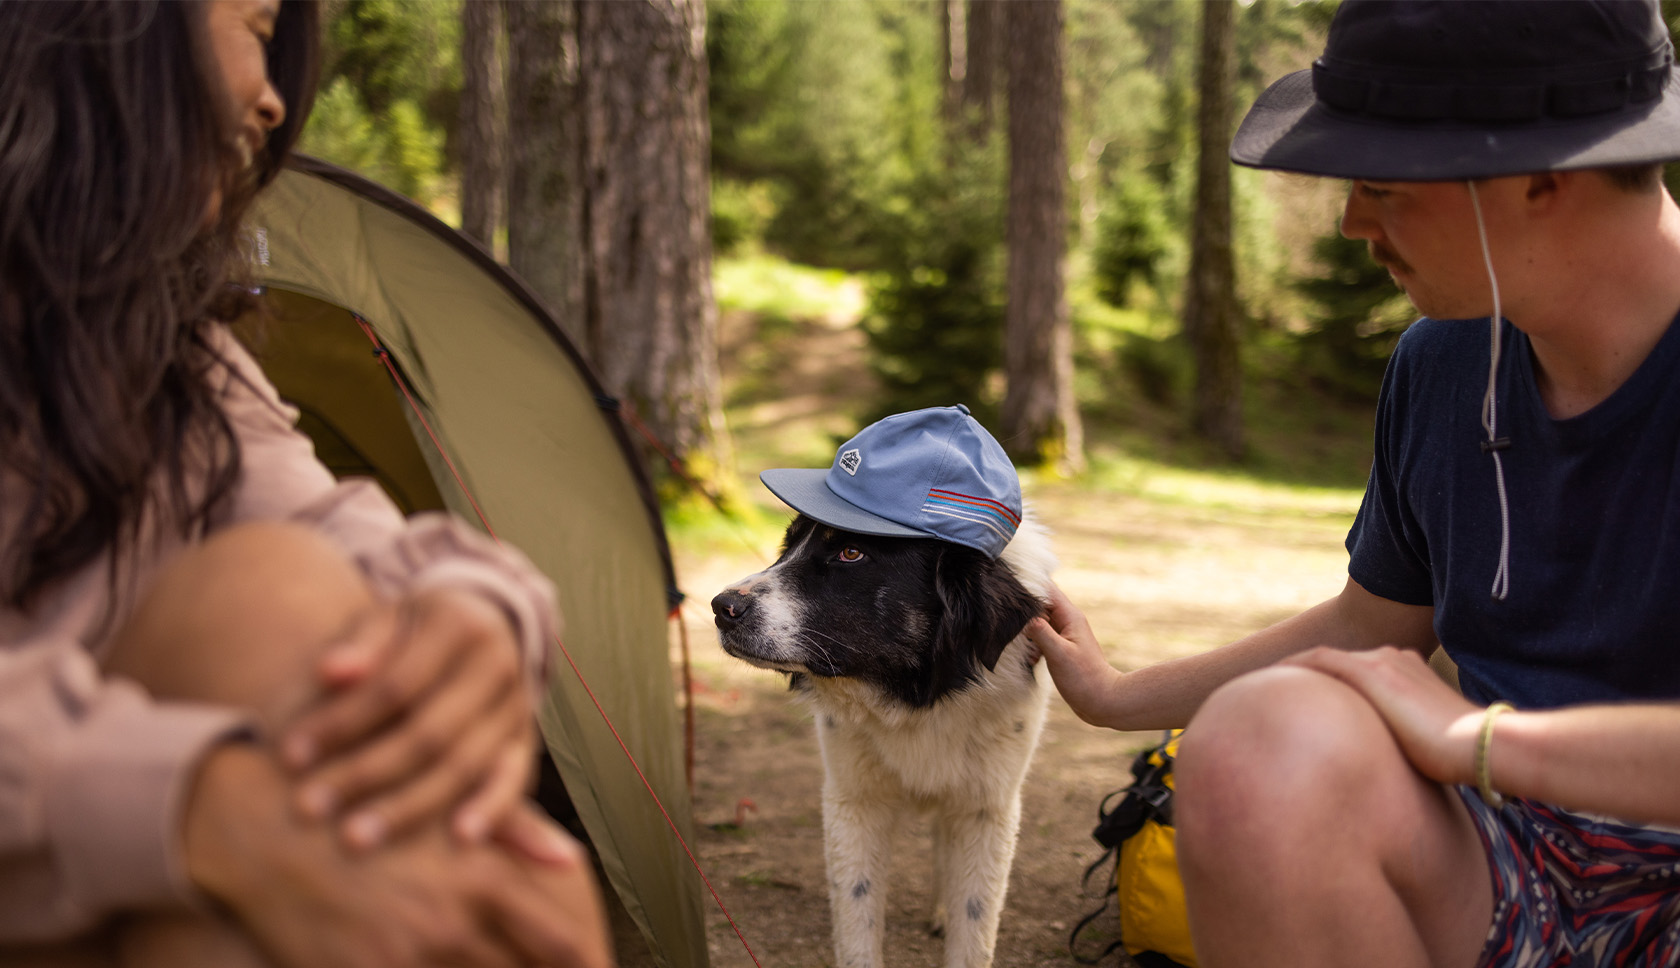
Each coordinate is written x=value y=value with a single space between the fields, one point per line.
x=481 y=122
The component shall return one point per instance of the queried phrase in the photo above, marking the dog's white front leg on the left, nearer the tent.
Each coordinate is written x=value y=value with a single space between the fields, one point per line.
x=858 y=838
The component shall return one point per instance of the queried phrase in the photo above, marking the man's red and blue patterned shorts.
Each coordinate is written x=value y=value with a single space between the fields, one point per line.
x=1575 y=890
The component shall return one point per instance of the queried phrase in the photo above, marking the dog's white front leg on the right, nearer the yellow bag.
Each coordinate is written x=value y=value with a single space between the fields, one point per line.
x=980 y=846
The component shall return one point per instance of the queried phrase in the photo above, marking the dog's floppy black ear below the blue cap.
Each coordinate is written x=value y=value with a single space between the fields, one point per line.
x=985 y=606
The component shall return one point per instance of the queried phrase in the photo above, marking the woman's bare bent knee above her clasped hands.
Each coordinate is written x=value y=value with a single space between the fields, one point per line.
x=241 y=619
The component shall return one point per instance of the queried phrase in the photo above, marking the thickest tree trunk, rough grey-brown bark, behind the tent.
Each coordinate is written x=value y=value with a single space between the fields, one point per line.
x=651 y=324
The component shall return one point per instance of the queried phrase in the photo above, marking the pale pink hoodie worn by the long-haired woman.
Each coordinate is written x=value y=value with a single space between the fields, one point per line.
x=93 y=771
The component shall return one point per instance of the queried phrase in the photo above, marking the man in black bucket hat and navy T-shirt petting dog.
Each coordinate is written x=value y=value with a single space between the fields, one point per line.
x=1338 y=804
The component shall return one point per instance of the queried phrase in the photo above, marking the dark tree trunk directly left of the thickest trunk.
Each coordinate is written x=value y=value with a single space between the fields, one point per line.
x=545 y=203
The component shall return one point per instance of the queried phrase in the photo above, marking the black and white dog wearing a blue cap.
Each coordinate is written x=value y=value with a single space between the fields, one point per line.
x=925 y=692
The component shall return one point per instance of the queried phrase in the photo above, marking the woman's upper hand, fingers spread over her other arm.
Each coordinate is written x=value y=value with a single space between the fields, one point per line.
x=426 y=713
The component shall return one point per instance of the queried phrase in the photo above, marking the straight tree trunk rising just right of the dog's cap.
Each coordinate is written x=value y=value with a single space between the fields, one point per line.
x=1041 y=421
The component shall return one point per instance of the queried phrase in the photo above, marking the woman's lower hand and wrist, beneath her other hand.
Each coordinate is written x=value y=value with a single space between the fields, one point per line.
x=428 y=902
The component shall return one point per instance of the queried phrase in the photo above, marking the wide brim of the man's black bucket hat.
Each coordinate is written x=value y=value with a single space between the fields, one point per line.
x=1289 y=130
